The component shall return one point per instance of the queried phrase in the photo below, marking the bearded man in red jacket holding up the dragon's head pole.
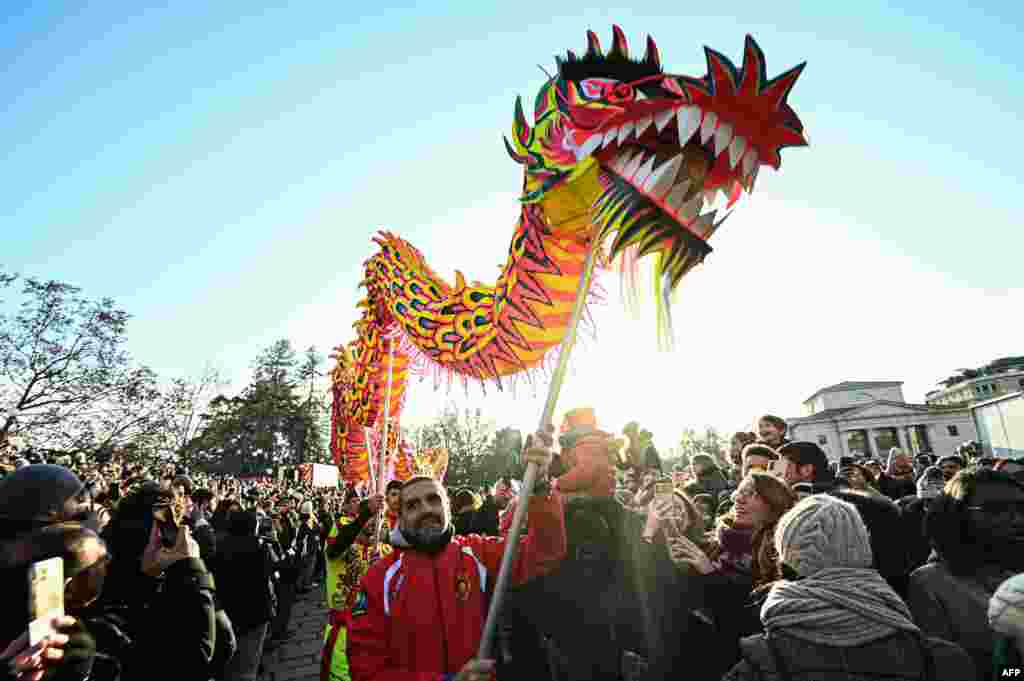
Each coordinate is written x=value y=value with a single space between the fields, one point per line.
x=420 y=612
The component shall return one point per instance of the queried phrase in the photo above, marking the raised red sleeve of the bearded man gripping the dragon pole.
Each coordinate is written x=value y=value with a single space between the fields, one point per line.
x=540 y=551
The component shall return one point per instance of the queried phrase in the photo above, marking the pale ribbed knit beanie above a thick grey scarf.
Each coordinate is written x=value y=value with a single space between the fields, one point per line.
x=823 y=532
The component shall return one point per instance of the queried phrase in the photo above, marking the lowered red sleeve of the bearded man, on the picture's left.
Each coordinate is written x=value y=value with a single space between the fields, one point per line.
x=369 y=637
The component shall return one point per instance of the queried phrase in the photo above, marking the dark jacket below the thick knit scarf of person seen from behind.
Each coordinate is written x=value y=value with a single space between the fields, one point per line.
x=898 y=658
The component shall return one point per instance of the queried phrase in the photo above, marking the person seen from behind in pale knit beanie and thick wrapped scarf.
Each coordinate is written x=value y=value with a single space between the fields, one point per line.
x=833 y=617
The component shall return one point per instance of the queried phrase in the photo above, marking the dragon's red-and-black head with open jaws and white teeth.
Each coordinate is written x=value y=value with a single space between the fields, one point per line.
x=668 y=150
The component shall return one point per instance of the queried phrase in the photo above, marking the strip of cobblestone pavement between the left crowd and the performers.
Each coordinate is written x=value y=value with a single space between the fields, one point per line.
x=298 y=658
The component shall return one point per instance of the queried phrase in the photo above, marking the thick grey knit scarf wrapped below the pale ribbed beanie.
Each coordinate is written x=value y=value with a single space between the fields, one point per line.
x=837 y=607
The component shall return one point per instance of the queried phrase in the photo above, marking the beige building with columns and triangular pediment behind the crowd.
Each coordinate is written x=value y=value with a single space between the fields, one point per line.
x=857 y=418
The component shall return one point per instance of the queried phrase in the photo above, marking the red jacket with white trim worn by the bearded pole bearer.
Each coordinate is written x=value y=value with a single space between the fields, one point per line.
x=419 y=618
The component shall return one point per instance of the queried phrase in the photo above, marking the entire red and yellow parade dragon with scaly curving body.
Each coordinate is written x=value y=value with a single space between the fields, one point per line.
x=622 y=157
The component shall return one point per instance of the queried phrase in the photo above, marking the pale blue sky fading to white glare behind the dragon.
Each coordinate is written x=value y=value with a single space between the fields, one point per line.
x=220 y=168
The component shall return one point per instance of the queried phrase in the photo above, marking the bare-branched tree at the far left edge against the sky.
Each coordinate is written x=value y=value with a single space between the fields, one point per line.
x=66 y=380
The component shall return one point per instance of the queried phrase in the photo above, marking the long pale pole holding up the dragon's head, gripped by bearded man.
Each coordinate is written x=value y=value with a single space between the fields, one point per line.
x=530 y=479
